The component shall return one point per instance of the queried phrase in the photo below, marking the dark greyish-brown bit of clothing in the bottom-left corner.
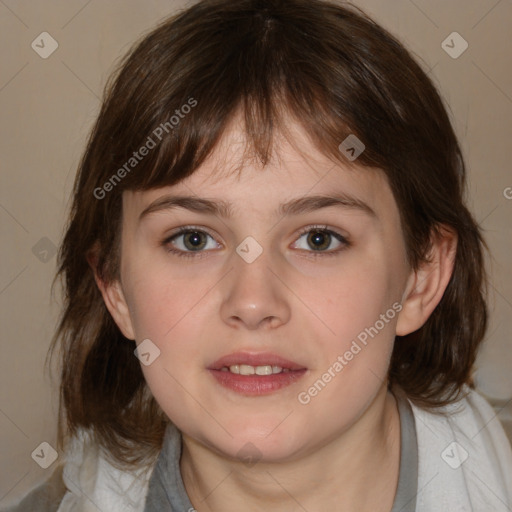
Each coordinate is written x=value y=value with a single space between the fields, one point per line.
x=46 y=497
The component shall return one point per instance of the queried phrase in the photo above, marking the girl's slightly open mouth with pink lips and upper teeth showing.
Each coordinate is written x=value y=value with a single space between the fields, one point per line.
x=254 y=374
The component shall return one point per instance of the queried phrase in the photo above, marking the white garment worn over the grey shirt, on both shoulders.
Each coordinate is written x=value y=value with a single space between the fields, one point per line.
x=481 y=483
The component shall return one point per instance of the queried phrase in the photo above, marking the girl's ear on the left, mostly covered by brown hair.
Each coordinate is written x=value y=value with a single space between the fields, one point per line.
x=113 y=297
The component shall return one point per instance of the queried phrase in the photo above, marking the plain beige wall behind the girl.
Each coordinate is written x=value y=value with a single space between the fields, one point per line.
x=48 y=105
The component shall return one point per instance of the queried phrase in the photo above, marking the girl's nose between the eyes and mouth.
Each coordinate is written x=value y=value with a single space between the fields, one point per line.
x=255 y=295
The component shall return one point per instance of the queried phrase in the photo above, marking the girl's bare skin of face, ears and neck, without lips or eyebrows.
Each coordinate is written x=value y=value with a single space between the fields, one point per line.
x=319 y=456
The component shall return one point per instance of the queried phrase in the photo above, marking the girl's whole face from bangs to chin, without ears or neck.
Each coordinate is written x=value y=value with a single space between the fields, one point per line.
x=310 y=286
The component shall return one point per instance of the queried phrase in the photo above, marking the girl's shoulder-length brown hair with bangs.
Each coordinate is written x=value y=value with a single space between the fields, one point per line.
x=336 y=72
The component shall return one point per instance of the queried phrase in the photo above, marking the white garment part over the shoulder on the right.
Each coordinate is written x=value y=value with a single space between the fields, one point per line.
x=464 y=456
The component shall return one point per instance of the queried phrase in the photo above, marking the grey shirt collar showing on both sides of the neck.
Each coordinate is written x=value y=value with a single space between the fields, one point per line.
x=167 y=492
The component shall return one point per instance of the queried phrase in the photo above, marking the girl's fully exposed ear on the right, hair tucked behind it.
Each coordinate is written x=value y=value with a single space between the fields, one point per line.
x=425 y=287
